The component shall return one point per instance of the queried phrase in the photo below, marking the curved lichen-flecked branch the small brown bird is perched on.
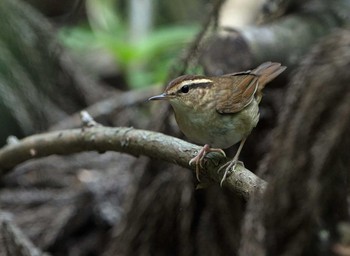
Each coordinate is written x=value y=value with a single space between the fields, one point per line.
x=127 y=140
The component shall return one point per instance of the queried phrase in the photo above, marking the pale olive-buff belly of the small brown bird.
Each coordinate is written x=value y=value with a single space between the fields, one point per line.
x=219 y=130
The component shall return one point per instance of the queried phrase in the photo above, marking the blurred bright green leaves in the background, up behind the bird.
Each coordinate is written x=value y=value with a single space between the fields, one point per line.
x=150 y=57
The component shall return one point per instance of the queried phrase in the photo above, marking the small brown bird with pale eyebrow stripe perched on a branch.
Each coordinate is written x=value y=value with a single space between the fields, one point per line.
x=219 y=111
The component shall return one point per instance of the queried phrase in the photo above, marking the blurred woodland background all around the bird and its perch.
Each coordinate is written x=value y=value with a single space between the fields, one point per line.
x=58 y=57
